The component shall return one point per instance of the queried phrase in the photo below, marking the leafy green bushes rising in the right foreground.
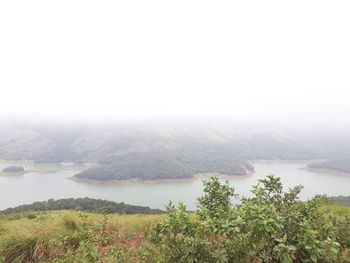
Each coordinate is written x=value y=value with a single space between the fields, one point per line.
x=272 y=226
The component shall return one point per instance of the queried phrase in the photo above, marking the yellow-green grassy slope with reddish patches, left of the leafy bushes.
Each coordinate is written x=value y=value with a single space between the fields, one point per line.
x=70 y=236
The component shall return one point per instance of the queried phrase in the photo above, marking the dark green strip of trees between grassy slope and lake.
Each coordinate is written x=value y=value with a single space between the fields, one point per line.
x=83 y=204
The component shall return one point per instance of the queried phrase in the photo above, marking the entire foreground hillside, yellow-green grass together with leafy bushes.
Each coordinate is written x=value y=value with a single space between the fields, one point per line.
x=271 y=227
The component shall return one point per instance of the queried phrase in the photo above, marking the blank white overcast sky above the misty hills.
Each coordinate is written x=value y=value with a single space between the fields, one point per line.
x=115 y=58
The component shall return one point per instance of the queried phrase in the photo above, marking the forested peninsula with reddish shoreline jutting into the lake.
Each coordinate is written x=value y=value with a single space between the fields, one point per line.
x=163 y=166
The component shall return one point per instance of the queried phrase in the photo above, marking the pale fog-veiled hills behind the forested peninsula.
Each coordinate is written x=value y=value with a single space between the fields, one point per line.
x=106 y=143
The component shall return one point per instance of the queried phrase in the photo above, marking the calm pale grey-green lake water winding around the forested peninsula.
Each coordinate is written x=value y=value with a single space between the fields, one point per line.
x=47 y=181
